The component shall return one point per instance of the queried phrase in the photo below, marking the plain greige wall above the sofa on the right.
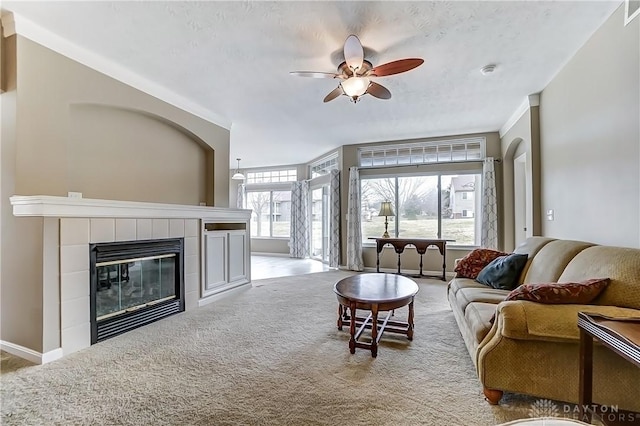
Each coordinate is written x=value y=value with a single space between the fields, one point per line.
x=590 y=140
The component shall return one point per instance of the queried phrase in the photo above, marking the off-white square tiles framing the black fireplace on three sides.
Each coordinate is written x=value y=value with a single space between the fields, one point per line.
x=75 y=236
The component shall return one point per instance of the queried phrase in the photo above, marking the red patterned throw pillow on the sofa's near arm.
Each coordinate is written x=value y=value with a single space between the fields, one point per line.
x=582 y=292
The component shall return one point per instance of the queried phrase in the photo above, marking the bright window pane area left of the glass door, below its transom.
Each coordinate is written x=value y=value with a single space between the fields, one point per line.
x=271 y=216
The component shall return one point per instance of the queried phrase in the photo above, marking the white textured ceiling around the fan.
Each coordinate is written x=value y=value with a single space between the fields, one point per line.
x=233 y=59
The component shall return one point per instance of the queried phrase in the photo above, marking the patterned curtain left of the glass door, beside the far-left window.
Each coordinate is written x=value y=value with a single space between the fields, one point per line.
x=299 y=240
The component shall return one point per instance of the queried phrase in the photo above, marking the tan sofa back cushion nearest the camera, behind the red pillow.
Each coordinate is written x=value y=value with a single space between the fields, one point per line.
x=621 y=265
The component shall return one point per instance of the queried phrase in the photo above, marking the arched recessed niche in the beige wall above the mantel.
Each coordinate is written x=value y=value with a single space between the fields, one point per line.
x=127 y=154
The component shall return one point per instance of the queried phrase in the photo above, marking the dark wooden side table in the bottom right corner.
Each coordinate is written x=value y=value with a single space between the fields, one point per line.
x=621 y=335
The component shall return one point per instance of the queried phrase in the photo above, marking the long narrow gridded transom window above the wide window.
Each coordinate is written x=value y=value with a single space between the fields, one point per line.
x=454 y=150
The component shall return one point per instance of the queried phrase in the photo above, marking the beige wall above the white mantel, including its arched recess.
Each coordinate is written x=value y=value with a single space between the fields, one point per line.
x=77 y=109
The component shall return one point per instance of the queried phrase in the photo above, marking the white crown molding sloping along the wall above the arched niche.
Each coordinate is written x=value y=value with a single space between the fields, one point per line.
x=17 y=24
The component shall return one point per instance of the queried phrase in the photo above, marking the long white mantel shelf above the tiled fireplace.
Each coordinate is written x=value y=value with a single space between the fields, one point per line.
x=52 y=206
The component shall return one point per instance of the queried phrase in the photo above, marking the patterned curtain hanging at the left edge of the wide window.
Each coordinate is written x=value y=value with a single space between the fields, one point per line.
x=354 y=232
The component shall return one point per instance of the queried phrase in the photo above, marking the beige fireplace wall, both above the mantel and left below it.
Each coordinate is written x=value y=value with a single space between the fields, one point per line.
x=66 y=127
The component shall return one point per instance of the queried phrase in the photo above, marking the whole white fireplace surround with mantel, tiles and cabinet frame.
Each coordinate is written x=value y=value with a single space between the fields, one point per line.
x=71 y=225
